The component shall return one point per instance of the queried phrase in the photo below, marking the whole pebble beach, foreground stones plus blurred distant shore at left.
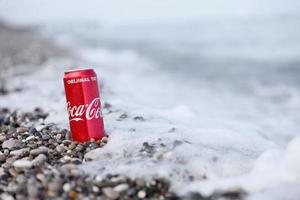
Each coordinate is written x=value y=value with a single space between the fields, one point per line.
x=39 y=160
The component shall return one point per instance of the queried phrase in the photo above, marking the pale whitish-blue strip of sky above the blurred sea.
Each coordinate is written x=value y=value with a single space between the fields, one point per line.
x=118 y=11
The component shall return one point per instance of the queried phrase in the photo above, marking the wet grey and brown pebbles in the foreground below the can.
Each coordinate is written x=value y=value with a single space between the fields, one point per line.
x=47 y=165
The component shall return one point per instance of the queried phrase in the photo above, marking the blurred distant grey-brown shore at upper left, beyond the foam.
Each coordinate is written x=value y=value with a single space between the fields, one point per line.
x=22 y=46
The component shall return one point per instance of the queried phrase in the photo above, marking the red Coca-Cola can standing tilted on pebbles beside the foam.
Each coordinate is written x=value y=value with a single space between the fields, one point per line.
x=84 y=105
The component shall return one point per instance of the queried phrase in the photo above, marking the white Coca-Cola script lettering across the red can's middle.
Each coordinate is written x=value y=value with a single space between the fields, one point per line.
x=87 y=111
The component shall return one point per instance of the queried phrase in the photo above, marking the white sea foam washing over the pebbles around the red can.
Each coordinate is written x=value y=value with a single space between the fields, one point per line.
x=216 y=134
